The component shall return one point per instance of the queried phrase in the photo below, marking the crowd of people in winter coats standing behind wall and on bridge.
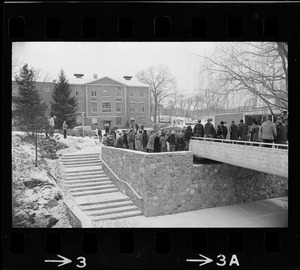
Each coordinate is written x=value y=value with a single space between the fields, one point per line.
x=170 y=140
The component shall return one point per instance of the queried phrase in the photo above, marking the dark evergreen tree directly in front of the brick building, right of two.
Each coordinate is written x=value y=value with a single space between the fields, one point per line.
x=63 y=106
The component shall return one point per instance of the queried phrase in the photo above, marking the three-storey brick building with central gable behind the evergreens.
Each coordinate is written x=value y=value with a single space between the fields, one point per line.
x=119 y=103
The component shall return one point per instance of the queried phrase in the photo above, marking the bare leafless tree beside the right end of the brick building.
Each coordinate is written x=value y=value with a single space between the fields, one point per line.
x=161 y=83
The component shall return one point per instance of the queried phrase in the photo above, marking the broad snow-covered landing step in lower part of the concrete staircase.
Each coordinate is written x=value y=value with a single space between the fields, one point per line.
x=104 y=198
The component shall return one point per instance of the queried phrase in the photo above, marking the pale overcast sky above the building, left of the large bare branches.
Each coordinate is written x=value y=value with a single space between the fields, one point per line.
x=113 y=59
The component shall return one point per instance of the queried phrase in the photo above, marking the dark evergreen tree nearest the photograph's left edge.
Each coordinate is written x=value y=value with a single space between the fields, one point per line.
x=28 y=110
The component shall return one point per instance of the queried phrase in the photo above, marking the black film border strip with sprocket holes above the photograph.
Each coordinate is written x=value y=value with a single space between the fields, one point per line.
x=149 y=21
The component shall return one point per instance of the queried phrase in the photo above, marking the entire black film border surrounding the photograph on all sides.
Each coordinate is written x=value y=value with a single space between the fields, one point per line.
x=155 y=248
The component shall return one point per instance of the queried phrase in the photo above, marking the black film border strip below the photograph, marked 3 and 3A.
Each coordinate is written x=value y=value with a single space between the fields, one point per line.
x=98 y=249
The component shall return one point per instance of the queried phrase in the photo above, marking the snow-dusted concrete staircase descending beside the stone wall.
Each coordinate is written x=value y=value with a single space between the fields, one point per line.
x=95 y=194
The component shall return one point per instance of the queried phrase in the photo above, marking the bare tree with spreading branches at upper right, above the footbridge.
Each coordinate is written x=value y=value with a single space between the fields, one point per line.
x=260 y=69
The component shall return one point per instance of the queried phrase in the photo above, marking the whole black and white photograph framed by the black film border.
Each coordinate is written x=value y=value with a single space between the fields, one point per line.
x=149 y=134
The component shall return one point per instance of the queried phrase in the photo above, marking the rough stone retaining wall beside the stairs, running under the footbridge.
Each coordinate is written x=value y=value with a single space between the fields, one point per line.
x=170 y=183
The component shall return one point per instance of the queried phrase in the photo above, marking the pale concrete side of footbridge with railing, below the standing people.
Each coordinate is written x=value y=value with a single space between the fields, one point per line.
x=264 y=157
